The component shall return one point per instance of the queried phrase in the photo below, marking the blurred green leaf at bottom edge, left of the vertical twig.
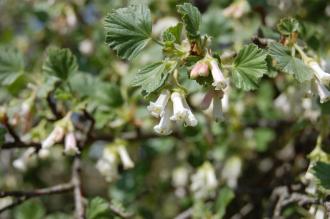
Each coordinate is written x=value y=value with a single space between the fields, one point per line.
x=30 y=210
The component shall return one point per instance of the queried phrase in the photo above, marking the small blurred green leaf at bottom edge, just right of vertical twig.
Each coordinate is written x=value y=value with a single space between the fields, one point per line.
x=98 y=208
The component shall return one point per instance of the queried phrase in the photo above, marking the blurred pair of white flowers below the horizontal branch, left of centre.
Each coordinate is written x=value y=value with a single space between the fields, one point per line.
x=107 y=165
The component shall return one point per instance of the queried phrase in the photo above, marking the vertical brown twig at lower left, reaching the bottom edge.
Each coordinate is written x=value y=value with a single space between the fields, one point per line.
x=78 y=197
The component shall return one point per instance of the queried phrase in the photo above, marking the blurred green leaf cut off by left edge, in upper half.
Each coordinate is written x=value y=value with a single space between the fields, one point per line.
x=11 y=65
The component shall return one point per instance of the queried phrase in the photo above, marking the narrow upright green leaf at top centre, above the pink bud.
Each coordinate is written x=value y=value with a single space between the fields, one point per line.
x=191 y=18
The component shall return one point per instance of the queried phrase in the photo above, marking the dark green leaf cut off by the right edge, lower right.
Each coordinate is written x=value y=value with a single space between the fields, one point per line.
x=321 y=171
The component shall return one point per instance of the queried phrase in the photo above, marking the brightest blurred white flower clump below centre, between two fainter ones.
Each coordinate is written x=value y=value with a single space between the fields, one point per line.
x=204 y=182
